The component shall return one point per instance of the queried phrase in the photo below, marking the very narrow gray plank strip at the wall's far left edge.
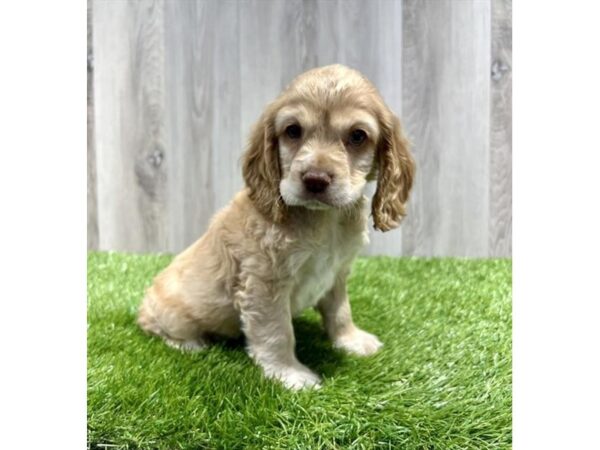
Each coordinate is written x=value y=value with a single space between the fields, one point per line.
x=92 y=203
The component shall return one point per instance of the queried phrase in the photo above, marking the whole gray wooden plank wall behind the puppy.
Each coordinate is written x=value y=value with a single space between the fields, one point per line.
x=178 y=84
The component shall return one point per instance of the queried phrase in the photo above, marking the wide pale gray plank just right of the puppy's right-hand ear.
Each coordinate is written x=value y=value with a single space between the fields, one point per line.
x=446 y=97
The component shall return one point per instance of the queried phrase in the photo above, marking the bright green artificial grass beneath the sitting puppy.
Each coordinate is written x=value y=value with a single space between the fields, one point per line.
x=441 y=381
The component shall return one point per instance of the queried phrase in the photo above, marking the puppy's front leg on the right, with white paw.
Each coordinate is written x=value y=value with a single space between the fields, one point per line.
x=337 y=318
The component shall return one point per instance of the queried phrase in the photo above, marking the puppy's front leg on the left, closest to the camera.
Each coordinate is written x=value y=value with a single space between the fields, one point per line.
x=267 y=325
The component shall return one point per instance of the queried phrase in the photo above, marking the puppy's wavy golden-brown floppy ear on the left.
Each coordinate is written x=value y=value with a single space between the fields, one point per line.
x=261 y=170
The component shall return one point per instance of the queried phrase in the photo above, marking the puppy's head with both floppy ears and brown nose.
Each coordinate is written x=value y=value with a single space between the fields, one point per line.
x=321 y=140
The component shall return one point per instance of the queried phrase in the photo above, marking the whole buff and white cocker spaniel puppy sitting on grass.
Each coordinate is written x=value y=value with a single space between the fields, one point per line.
x=286 y=242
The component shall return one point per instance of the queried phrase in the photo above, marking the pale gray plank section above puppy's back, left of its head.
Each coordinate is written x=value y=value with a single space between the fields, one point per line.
x=203 y=114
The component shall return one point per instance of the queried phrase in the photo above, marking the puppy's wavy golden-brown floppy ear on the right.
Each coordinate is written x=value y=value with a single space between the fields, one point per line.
x=396 y=169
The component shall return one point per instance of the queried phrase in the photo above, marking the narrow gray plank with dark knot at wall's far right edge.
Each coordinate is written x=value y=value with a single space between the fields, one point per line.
x=500 y=243
